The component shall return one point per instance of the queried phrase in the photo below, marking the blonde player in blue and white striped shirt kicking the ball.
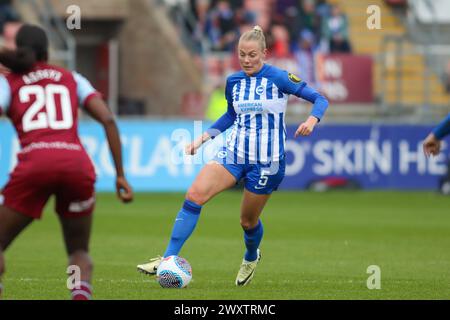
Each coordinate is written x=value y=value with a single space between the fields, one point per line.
x=257 y=97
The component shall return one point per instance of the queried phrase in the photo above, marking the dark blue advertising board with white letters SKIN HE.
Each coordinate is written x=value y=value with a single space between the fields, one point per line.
x=375 y=156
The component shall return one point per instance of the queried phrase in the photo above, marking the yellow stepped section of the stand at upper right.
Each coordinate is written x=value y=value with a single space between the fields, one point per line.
x=402 y=77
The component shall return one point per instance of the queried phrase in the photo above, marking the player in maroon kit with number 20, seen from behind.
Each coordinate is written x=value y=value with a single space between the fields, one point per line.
x=42 y=102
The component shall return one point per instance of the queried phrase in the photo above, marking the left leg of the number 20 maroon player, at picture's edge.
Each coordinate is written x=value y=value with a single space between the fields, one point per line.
x=11 y=224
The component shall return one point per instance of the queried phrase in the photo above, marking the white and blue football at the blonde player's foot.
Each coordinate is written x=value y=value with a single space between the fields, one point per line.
x=174 y=272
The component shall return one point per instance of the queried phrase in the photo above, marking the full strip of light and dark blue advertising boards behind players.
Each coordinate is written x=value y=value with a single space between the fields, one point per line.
x=376 y=156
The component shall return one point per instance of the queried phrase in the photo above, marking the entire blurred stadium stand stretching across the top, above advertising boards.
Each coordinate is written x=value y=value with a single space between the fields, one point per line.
x=410 y=67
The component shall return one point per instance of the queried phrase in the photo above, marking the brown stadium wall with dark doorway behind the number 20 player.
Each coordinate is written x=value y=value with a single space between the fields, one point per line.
x=135 y=30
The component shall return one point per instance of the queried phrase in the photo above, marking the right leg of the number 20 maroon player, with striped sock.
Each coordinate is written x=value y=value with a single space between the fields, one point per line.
x=77 y=231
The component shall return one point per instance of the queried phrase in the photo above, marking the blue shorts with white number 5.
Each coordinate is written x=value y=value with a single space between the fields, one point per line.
x=258 y=178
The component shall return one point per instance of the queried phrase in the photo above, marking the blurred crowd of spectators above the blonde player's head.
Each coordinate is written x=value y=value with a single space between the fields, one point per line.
x=291 y=26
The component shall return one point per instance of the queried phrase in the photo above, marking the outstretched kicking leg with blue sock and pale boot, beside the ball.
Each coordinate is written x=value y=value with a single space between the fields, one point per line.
x=212 y=179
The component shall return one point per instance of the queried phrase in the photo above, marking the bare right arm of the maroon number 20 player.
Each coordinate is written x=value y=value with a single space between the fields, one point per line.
x=98 y=110
